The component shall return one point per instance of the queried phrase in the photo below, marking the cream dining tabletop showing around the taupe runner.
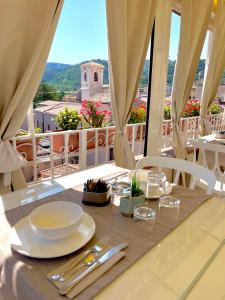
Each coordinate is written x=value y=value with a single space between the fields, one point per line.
x=187 y=263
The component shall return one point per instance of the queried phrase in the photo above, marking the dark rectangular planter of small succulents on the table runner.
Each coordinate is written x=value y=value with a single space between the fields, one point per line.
x=96 y=193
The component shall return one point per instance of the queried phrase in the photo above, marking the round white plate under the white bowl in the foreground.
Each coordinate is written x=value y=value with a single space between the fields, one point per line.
x=25 y=242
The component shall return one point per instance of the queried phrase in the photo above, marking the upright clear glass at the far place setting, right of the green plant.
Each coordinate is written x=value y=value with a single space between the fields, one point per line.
x=156 y=185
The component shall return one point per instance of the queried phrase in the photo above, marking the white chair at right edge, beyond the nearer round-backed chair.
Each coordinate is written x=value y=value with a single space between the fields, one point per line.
x=212 y=156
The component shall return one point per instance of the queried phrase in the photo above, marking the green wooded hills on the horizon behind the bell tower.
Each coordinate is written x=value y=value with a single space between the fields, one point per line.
x=67 y=77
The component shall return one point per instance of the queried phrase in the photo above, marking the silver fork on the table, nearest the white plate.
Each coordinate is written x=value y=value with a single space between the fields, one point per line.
x=95 y=249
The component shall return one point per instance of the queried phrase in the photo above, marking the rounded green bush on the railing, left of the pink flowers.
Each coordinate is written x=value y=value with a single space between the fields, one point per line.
x=68 y=119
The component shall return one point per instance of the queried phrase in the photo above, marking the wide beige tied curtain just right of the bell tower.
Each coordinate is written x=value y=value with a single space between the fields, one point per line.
x=129 y=28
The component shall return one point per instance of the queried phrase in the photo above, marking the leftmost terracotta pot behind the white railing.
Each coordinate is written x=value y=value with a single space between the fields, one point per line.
x=25 y=147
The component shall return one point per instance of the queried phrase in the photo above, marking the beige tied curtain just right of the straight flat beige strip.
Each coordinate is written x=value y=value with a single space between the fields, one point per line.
x=194 y=23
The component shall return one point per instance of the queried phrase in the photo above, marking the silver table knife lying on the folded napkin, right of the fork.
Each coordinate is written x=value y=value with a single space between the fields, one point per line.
x=66 y=288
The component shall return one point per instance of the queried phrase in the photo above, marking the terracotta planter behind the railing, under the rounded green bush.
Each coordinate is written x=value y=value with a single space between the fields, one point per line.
x=58 y=144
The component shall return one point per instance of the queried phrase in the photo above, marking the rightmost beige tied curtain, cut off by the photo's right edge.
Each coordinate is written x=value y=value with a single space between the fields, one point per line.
x=216 y=65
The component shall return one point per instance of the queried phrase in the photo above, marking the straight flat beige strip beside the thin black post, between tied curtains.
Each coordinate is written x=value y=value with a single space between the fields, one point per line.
x=159 y=75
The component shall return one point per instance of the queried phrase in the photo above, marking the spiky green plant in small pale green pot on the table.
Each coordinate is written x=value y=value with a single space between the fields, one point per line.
x=128 y=203
